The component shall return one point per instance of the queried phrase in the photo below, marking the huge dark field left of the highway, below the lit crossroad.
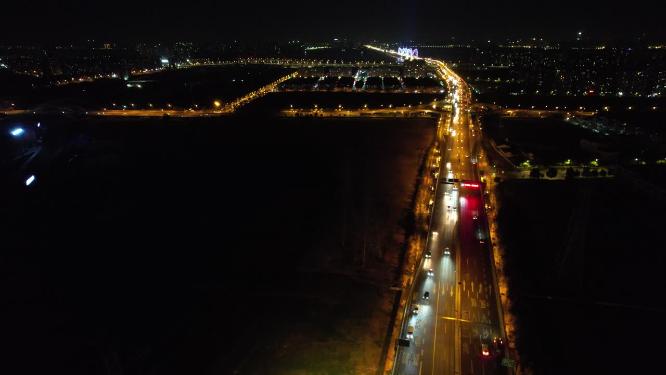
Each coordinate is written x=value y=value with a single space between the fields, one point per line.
x=252 y=244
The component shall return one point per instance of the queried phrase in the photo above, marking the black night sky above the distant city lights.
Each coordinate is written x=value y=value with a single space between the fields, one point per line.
x=205 y=20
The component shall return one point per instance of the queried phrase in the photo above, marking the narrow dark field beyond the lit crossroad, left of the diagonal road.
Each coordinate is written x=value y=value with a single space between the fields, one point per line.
x=182 y=88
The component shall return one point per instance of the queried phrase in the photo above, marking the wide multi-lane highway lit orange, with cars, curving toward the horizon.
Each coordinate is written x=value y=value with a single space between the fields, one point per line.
x=457 y=329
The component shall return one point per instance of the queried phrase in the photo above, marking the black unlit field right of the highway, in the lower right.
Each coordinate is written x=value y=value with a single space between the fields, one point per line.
x=598 y=308
